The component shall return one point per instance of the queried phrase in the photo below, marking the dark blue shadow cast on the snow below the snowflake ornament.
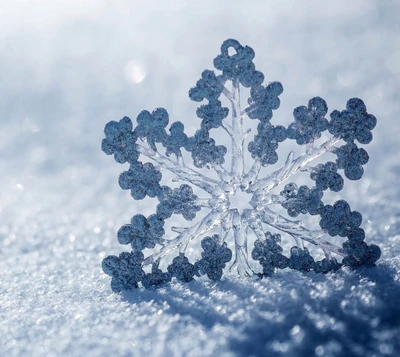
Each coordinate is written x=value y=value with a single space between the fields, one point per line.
x=348 y=314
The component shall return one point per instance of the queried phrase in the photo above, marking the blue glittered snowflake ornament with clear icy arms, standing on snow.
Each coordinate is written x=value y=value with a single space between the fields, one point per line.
x=215 y=218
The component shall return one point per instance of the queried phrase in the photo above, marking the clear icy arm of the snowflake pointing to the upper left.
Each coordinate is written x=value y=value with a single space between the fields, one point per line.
x=179 y=169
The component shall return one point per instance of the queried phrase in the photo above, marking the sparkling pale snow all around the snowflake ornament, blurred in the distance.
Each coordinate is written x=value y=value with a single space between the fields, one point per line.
x=68 y=67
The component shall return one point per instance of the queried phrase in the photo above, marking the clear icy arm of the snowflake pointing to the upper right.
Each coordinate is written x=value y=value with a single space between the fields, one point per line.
x=291 y=167
